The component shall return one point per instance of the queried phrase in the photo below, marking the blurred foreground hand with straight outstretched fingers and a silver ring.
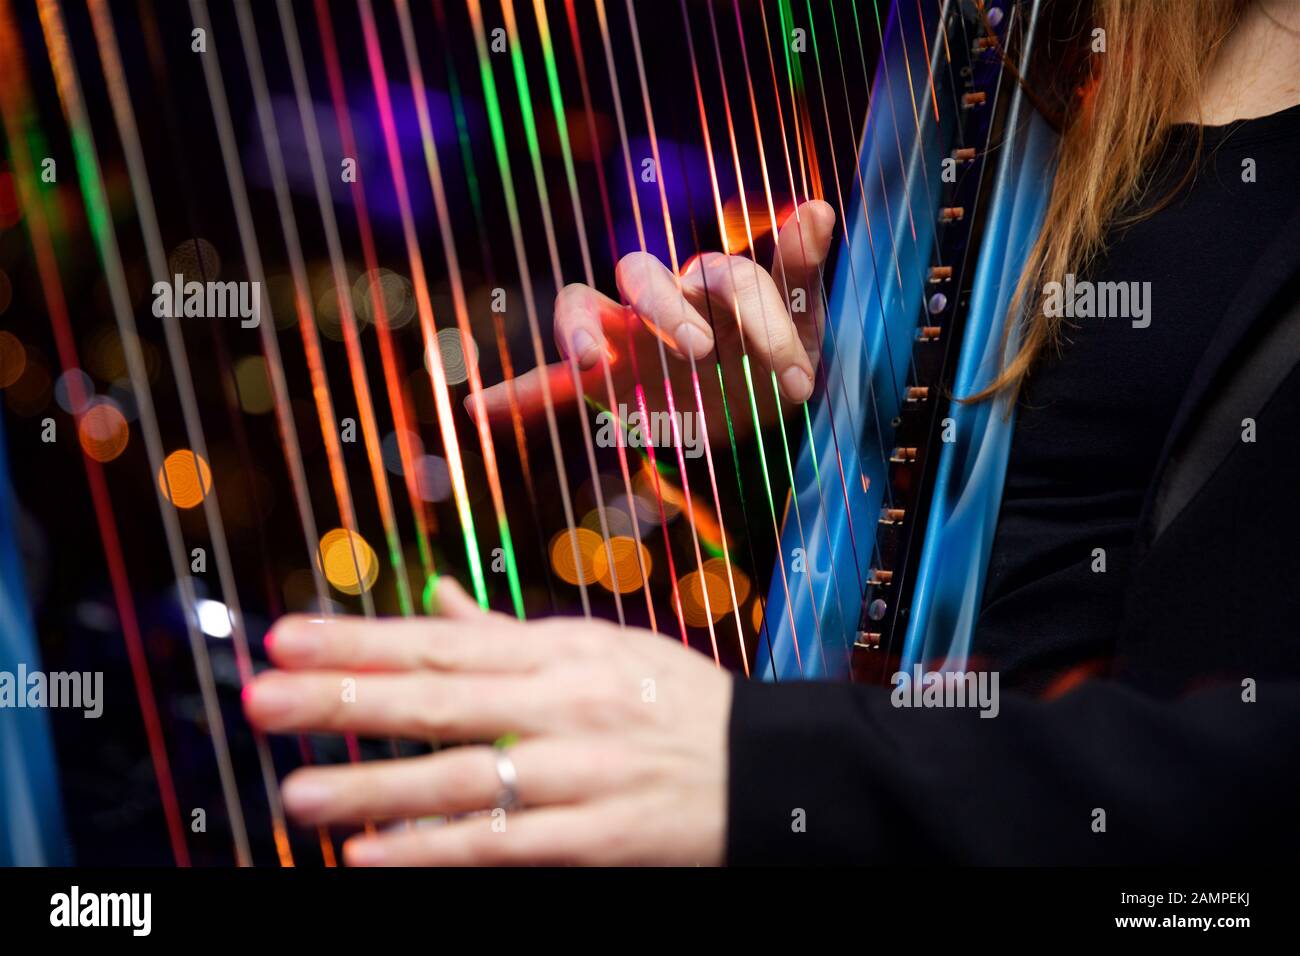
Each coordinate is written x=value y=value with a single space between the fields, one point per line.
x=621 y=754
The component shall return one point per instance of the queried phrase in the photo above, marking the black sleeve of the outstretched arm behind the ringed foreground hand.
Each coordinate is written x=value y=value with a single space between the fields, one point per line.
x=835 y=773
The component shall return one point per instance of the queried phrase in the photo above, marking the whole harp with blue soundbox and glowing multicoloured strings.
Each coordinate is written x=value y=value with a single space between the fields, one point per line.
x=501 y=150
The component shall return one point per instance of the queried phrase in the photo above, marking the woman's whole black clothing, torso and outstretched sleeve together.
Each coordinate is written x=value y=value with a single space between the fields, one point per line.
x=1190 y=742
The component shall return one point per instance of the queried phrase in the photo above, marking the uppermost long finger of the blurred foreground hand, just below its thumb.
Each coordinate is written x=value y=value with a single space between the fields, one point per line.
x=401 y=644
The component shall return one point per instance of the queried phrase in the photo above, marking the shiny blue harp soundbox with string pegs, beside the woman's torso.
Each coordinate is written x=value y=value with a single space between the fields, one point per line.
x=930 y=468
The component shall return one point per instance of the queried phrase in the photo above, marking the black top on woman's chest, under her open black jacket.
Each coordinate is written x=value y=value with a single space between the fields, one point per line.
x=1094 y=417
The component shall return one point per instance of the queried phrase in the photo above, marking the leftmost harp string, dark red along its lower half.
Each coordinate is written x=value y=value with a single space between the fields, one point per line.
x=15 y=101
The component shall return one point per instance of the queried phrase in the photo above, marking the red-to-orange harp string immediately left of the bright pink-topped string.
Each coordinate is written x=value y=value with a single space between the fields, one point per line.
x=391 y=360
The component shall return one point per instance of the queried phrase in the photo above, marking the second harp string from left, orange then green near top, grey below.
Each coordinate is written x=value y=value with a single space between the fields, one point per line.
x=102 y=232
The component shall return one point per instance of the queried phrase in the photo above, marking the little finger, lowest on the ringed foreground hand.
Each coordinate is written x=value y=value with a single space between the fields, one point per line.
x=551 y=836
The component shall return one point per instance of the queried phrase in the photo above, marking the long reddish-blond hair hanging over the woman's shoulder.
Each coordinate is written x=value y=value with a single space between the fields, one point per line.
x=1116 y=96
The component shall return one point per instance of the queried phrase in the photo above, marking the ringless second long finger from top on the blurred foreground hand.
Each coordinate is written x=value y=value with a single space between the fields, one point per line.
x=415 y=706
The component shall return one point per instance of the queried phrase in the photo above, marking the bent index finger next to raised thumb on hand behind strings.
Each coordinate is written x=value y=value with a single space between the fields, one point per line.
x=744 y=291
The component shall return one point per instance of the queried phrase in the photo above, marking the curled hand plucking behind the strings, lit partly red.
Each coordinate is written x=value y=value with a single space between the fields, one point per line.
x=748 y=306
